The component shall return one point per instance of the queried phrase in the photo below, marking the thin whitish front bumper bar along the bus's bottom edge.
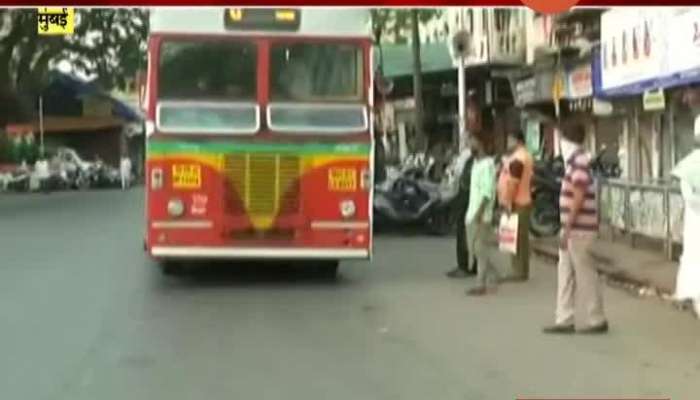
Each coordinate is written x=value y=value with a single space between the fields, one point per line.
x=258 y=253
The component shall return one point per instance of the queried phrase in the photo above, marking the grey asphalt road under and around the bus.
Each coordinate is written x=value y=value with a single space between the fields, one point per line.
x=85 y=315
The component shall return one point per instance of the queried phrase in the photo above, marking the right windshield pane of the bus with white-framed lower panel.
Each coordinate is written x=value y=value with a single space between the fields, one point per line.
x=316 y=87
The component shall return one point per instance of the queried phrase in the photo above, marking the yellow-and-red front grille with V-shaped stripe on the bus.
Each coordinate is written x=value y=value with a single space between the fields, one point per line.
x=262 y=185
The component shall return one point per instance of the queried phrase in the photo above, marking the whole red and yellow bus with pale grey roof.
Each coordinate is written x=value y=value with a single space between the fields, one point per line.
x=259 y=135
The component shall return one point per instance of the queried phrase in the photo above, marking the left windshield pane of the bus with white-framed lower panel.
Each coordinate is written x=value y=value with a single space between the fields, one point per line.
x=207 y=86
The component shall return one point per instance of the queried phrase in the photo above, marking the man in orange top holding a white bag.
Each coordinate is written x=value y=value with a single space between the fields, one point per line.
x=514 y=196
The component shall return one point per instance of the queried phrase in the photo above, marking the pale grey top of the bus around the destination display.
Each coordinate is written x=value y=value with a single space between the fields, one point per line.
x=313 y=21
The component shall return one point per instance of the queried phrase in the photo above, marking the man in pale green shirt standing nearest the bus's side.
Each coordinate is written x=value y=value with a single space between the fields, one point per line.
x=480 y=233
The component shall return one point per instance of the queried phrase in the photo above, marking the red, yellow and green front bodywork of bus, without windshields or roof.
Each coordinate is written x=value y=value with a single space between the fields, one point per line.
x=267 y=195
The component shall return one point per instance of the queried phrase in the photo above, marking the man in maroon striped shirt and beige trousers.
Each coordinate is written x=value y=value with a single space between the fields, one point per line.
x=577 y=273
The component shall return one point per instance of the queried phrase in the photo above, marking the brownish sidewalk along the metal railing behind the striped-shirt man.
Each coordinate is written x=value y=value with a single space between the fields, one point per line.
x=619 y=260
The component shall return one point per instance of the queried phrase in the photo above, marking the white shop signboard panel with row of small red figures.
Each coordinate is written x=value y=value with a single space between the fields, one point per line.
x=633 y=45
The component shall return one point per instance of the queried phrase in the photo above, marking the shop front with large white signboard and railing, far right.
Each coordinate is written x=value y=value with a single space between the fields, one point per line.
x=652 y=74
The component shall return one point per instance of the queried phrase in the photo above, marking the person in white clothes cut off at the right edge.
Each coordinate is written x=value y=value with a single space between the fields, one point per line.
x=688 y=172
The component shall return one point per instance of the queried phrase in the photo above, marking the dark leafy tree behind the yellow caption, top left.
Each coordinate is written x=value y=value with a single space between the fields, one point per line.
x=108 y=44
